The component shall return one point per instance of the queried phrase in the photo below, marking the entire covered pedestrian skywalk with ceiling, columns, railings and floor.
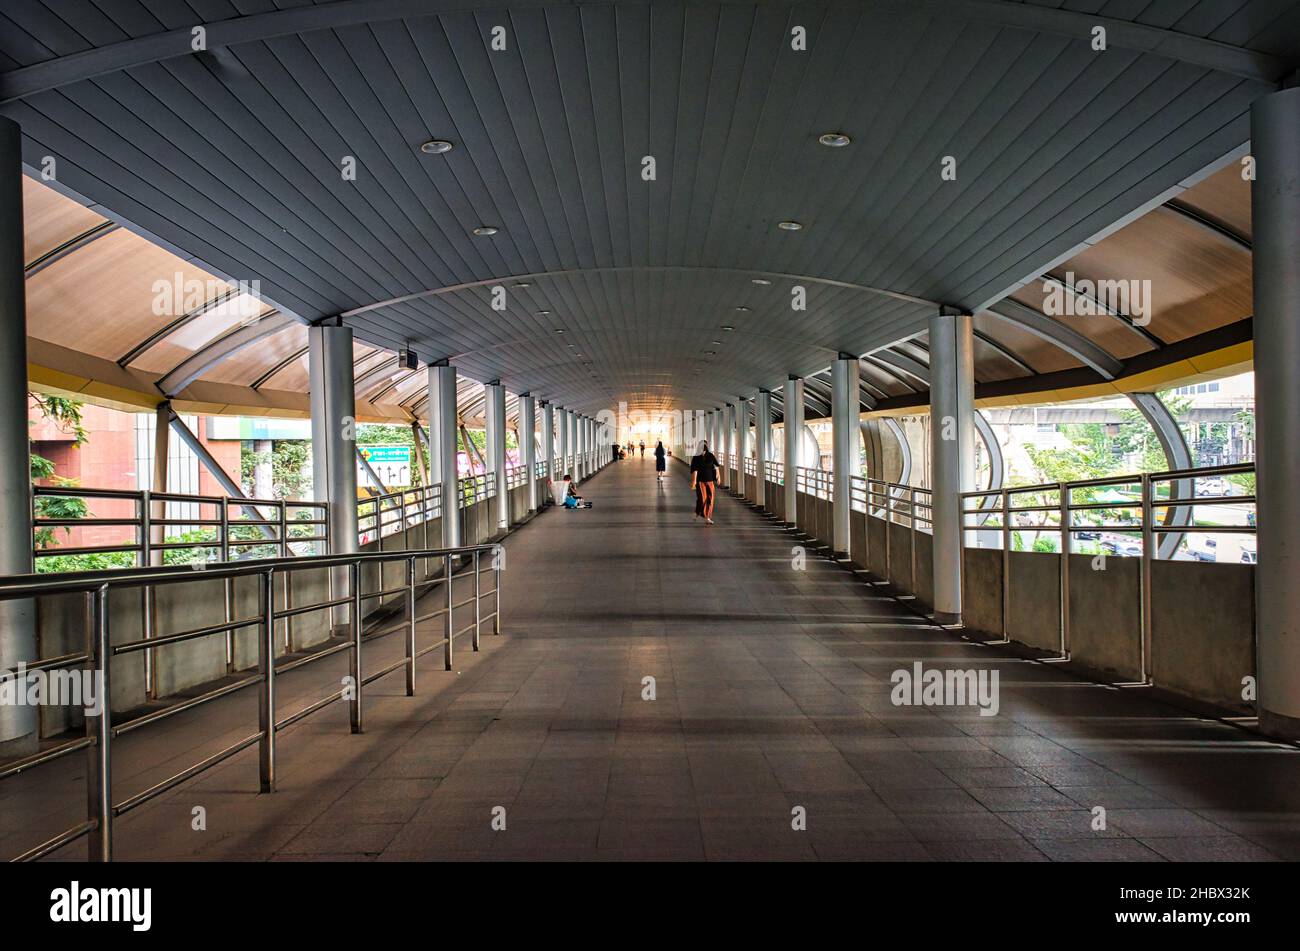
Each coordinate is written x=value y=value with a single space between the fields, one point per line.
x=570 y=227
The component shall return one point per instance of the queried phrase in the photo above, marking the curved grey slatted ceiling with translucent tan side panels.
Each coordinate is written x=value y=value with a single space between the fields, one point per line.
x=229 y=163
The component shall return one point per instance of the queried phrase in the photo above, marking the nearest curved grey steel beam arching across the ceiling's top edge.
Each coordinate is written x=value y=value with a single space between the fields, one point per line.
x=1121 y=34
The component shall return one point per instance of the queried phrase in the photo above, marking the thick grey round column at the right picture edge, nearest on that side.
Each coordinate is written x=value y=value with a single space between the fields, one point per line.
x=1276 y=216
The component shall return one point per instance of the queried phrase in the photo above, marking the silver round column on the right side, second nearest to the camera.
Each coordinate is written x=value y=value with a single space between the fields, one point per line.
x=952 y=451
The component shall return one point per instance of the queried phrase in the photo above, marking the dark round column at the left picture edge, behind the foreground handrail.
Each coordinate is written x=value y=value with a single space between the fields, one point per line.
x=19 y=723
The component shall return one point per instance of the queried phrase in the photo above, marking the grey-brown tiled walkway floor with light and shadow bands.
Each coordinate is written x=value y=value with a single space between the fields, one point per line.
x=772 y=710
